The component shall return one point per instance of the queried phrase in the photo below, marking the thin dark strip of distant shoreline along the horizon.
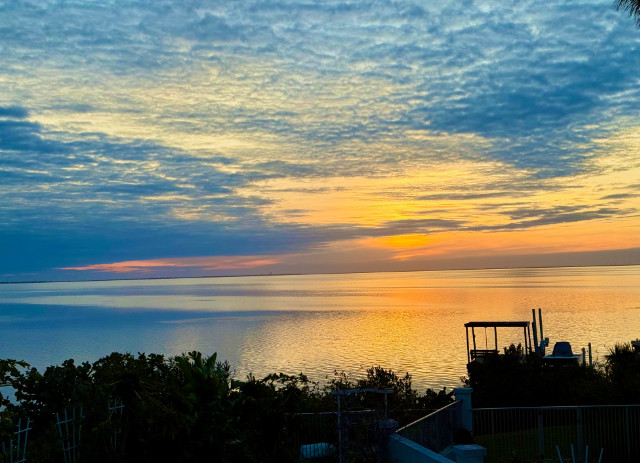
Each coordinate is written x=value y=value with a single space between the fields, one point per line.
x=309 y=274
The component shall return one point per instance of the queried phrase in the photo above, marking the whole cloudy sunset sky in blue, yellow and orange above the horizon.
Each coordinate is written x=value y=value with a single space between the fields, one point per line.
x=154 y=138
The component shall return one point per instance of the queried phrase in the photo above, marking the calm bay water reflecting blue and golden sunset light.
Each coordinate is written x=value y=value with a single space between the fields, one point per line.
x=317 y=324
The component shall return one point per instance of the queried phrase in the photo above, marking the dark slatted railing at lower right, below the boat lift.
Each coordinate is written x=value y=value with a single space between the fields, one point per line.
x=538 y=433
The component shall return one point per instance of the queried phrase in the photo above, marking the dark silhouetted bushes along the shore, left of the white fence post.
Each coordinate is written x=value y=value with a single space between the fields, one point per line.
x=186 y=408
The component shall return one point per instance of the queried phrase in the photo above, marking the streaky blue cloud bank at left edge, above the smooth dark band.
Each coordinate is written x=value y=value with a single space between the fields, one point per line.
x=48 y=174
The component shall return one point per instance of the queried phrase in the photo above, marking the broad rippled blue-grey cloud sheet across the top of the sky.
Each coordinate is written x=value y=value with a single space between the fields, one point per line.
x=528 y=79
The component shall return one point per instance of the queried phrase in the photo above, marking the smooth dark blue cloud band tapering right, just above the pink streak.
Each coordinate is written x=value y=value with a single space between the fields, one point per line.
x=47 y=244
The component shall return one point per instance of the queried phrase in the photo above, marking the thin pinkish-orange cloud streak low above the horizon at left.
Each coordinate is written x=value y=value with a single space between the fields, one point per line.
x=204 y=263
